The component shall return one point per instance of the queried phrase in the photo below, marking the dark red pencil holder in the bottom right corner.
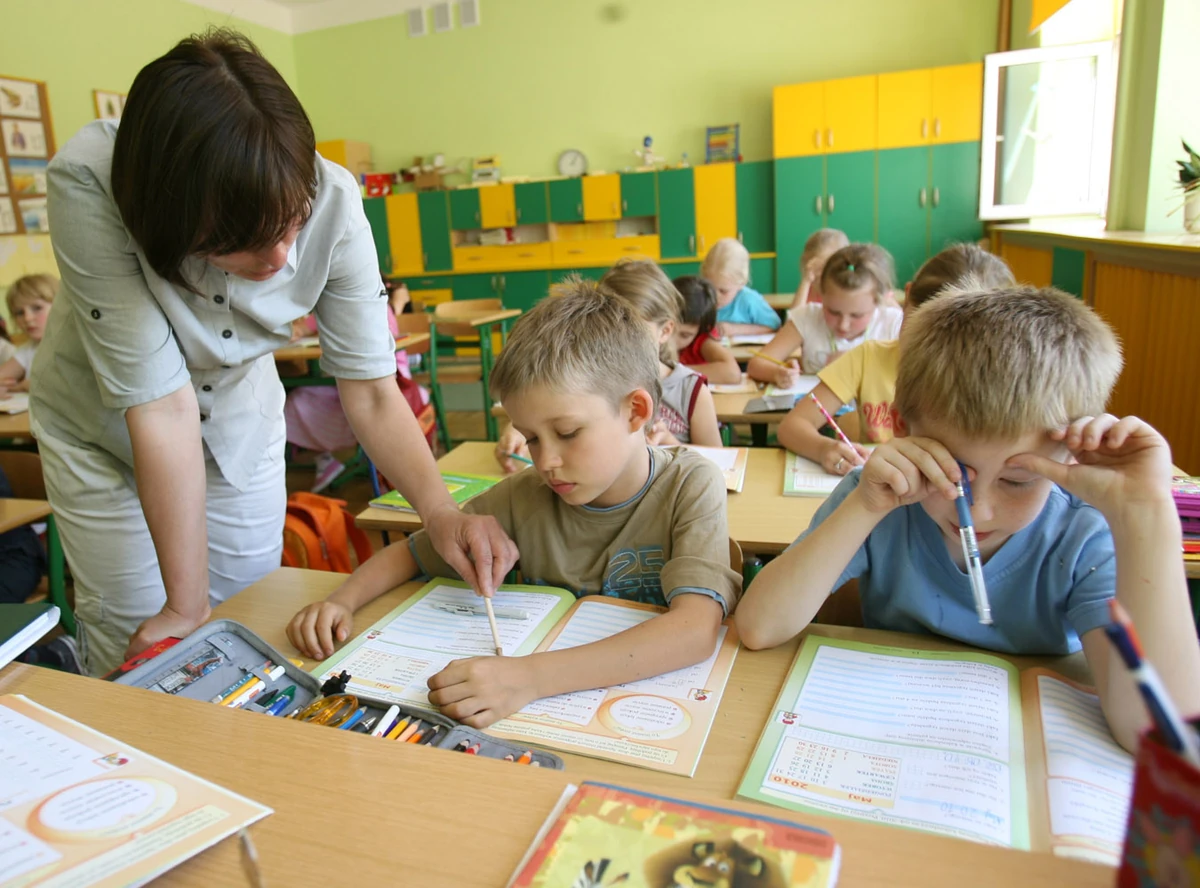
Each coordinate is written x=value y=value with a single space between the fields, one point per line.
x=1163 y=833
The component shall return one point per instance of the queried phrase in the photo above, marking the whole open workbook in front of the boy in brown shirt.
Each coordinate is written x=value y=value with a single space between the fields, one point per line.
x=658 y=723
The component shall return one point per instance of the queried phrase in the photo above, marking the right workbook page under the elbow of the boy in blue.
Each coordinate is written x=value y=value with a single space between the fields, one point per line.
x=1089 y=777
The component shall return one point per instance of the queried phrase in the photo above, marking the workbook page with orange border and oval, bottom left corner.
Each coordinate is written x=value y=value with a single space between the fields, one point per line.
x=79 y=808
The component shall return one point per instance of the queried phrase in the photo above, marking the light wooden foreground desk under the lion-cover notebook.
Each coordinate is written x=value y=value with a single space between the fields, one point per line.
x=356 y=811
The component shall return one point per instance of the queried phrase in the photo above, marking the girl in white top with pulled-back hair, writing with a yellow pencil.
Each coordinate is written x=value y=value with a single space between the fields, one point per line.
x=855 y=286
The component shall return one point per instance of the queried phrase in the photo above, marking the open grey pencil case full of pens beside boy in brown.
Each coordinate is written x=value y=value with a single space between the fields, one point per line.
x=226 y=659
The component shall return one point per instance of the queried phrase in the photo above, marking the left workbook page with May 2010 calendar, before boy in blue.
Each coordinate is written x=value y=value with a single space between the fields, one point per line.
x=925 y=740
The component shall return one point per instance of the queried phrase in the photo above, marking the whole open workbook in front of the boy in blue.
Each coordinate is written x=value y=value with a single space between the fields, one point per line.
x=956 y=743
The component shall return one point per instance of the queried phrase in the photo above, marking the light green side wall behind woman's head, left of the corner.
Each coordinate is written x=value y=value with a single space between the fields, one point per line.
x=77 y=46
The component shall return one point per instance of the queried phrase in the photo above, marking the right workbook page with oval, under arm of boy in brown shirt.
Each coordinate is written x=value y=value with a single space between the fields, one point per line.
x=659 y=723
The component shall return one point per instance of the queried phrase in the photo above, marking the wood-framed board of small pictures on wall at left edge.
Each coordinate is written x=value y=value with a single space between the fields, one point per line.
x=27 y=146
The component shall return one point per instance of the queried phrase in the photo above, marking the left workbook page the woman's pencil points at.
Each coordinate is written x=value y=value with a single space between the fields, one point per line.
x=445 y=621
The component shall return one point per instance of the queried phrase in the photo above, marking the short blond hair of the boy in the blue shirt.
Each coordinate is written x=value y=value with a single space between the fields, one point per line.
x=1005 y=363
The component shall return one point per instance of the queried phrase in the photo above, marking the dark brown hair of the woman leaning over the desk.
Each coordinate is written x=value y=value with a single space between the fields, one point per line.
x=214 y=154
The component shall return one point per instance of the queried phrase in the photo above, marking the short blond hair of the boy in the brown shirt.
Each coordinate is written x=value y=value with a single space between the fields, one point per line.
x=587 y=340
